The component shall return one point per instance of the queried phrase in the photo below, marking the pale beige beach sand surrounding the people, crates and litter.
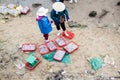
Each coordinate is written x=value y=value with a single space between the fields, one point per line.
x=100 y=38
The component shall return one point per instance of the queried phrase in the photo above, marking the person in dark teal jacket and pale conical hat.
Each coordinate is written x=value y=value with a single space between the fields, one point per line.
x=59 y=14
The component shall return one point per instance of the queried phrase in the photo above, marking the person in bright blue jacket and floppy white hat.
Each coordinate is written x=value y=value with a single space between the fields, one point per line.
x=43 y=22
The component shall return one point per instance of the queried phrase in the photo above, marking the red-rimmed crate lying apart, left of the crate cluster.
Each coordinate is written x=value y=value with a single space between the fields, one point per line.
x=28 y=47
